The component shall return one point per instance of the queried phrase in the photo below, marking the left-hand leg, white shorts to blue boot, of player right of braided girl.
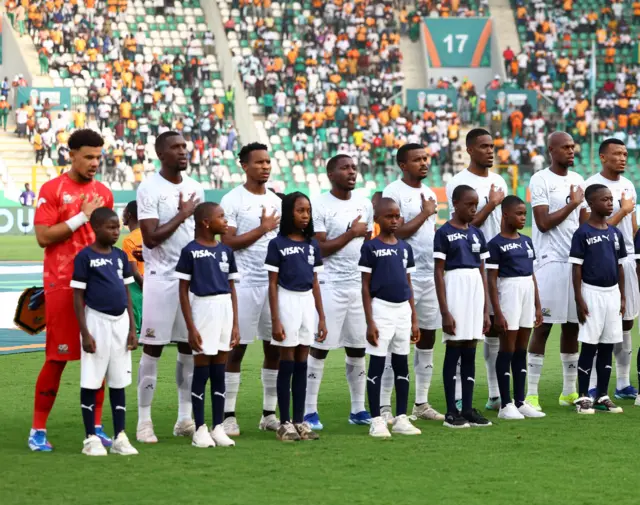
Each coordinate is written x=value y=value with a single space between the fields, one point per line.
x=336 y=304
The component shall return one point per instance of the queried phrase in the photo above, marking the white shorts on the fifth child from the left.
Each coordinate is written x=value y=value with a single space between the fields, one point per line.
x=465 y=298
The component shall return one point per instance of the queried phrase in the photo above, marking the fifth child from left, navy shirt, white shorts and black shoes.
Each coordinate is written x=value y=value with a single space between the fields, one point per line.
x=459 y=251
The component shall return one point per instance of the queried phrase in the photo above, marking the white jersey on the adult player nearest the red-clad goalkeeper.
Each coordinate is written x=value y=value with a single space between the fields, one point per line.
x=158 y=198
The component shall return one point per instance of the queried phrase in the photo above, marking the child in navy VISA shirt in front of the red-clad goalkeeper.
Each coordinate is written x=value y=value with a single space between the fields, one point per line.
x=103 y=309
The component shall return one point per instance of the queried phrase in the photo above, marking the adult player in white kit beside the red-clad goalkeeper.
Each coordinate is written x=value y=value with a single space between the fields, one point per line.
x=166 y=203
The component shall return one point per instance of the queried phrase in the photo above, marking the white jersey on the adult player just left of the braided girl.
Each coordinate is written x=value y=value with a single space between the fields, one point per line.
x=243 y=211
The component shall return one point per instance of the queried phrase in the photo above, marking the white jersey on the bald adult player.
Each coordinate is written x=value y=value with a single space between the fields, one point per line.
x=553 y=190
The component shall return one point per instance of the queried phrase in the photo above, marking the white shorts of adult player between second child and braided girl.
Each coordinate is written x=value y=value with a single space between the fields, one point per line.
x=254 y=315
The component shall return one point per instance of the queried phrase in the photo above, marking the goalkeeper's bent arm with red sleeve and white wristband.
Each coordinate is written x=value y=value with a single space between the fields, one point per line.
x=49 y=234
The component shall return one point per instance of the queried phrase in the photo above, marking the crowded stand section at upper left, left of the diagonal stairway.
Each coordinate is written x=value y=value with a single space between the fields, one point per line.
x=134 y=69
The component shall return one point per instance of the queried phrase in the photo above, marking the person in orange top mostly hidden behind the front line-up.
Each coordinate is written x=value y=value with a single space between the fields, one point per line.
x=132 y=246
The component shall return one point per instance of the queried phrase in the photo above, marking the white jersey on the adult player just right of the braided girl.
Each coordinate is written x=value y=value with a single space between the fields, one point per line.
x=334 y=217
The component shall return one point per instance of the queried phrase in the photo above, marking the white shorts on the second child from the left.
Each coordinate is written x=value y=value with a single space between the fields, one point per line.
x=213 y=318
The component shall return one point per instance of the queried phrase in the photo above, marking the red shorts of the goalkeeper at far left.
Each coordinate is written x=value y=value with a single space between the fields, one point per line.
x=62 y=342
